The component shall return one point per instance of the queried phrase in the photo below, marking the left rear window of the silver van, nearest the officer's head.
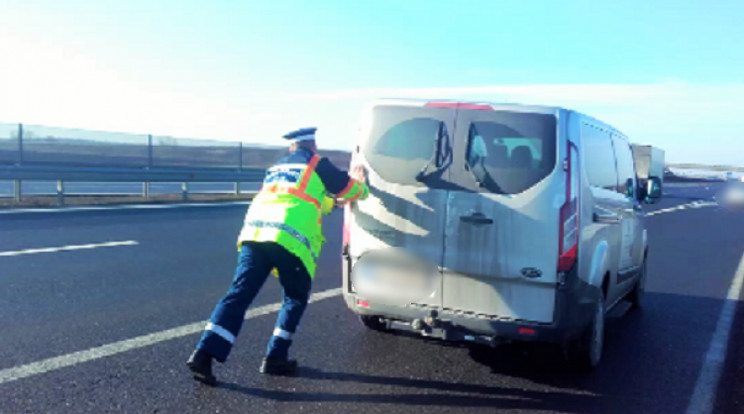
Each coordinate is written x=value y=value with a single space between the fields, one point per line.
x=401 y=142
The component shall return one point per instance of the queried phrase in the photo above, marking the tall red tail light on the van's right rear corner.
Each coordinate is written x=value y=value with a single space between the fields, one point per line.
x=569 y=215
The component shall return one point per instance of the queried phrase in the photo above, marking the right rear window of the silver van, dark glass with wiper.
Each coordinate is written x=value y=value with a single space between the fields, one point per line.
x=511 y=152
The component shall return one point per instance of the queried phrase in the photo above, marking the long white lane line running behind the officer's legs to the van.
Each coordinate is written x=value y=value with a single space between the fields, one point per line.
x=75 y=358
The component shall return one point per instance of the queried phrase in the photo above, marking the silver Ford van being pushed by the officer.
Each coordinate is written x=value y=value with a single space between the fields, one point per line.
x=490 y=222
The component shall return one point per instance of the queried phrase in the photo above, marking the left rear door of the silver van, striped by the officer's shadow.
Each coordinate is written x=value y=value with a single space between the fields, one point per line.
x=408 y=151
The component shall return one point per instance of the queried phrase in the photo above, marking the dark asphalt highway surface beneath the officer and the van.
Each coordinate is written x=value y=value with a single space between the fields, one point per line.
x=57 y=303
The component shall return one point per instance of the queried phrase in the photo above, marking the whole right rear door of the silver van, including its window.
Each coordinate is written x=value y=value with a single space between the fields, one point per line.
x=502 y=232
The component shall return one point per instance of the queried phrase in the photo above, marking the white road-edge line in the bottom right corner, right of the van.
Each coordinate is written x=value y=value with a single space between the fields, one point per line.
x=704 y=397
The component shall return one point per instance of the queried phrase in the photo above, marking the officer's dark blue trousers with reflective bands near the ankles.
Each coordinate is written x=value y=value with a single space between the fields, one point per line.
x=255 y=261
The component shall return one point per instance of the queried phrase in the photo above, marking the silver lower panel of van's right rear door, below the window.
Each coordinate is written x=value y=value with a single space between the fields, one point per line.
x=485 y=265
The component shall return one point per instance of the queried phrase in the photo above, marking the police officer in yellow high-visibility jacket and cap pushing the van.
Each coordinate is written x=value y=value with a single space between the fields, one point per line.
x=282 y=231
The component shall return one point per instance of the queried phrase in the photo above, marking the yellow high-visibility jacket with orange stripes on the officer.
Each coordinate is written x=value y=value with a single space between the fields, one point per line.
x=288 y=210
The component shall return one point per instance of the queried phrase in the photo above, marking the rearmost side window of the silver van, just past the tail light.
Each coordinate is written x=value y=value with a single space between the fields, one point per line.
x=599 y=157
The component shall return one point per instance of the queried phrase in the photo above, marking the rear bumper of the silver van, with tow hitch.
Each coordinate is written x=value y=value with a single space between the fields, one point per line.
x=574 y=307
